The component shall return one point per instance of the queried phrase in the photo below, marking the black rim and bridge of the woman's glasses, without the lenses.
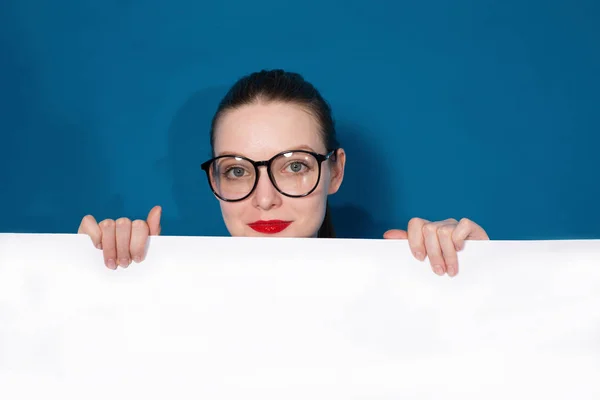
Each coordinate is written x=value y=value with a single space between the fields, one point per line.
x=206 y=166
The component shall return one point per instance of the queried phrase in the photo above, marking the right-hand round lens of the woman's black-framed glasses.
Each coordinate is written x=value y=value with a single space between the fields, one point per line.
x=295 y=173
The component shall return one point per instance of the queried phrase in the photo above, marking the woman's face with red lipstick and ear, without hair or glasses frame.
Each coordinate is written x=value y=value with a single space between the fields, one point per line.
x=259 y=131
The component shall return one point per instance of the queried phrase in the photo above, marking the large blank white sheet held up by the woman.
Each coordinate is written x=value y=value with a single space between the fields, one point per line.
x=241 y=318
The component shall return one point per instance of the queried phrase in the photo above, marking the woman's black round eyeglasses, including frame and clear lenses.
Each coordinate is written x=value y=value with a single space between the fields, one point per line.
x=294 y=173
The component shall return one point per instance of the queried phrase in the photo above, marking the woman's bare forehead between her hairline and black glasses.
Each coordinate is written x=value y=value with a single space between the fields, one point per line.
x=260 y=130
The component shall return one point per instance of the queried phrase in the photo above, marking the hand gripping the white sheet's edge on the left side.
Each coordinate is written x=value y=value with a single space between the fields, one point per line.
x=122 y=241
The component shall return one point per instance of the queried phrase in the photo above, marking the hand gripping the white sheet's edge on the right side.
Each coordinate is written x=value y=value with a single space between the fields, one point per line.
x=440 y=241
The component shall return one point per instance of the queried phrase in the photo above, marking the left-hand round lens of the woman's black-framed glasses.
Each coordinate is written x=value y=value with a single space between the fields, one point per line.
x=232 y=178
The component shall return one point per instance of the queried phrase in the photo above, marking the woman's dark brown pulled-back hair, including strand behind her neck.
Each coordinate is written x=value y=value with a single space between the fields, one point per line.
x=279 y=85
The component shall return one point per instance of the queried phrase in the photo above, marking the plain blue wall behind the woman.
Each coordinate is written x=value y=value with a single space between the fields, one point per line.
x=485 y=109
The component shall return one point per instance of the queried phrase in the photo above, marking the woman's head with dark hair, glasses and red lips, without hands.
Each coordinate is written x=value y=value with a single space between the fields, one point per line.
x=277 y=116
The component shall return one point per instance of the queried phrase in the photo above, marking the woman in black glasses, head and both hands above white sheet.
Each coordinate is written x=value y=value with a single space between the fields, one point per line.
x=275 y=161
